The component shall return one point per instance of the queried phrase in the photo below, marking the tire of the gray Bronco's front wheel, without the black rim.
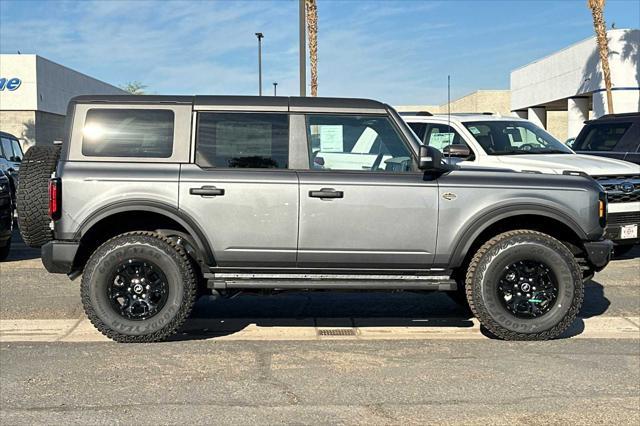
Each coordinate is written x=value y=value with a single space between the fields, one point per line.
x=483 y=276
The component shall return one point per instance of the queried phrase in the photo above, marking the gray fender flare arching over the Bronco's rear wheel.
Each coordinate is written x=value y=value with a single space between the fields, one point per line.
x=188 y=223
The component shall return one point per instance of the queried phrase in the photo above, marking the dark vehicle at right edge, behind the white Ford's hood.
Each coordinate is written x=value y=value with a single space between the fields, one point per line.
x=613 y=136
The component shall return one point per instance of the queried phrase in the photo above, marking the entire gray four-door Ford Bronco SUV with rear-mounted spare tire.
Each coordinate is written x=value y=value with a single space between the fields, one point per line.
x=156 y=200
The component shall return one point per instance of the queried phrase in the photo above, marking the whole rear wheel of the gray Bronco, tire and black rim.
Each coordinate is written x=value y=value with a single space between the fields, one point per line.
x=138 y=287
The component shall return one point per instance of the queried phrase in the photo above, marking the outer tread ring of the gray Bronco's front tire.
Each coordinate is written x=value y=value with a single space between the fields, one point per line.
x=485 y=318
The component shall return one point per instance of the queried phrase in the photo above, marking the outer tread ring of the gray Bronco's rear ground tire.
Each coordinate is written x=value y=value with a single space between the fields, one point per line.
x=189 y=295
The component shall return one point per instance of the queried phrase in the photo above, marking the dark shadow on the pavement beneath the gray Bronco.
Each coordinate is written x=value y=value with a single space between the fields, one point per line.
x=221 y=317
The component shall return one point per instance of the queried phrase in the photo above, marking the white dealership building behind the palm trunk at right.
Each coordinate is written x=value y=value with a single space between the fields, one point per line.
x=571 y=81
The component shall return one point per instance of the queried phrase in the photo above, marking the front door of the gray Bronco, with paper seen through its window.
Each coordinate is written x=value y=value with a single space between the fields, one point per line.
x=363 y=204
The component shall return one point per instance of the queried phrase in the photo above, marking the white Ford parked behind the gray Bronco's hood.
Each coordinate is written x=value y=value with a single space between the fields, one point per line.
x=480 y=140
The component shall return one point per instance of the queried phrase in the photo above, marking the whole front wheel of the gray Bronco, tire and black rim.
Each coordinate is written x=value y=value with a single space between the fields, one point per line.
x=524 y=285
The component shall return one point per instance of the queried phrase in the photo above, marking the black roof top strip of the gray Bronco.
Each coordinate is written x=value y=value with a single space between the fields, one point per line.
x=258 y=101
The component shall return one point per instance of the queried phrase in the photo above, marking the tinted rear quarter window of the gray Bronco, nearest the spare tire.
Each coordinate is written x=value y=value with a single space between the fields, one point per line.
x=128 y=133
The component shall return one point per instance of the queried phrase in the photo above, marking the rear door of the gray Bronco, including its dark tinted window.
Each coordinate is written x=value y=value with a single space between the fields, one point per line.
x=239 y=188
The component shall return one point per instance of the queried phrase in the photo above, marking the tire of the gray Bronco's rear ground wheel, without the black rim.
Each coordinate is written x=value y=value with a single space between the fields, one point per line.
x=174 y=263
